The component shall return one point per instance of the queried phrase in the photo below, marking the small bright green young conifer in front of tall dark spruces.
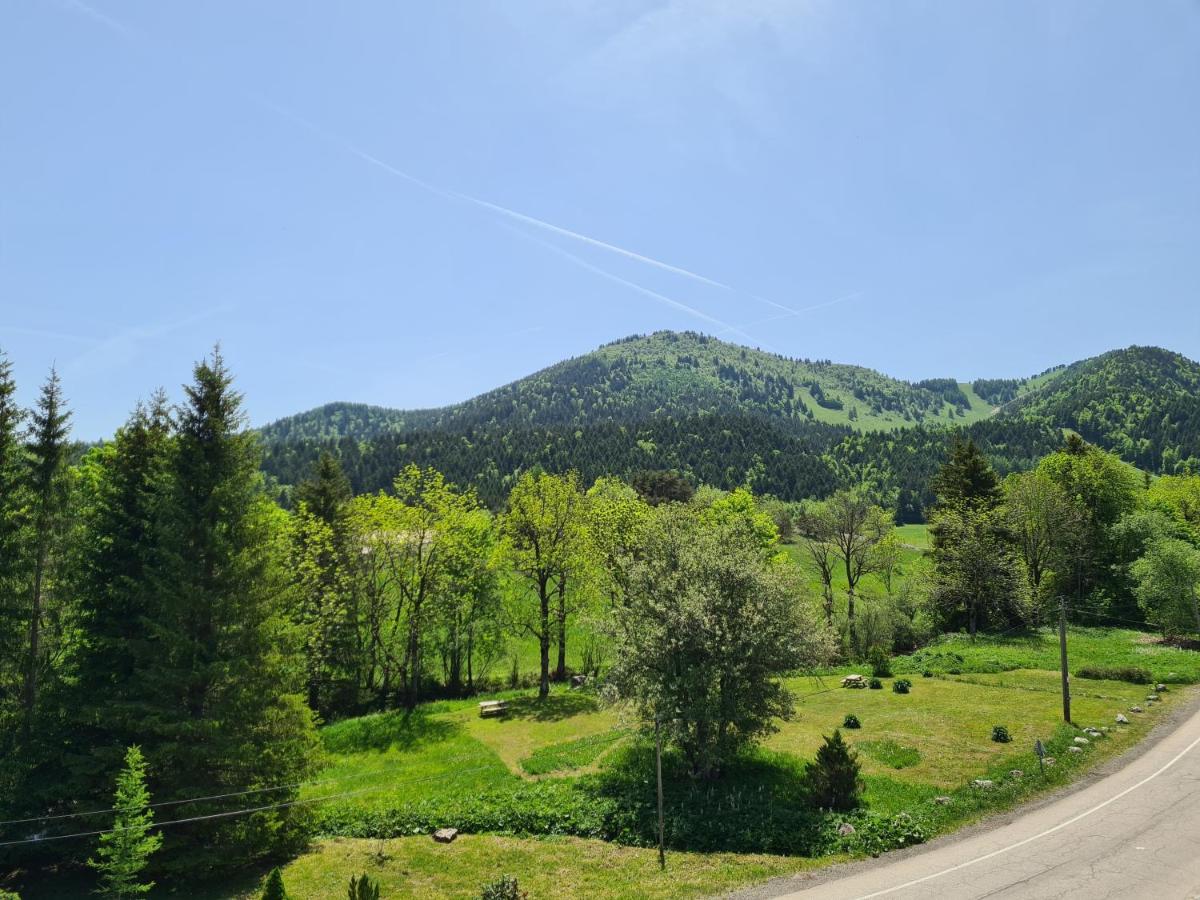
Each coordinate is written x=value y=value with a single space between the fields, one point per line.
x=127 y=849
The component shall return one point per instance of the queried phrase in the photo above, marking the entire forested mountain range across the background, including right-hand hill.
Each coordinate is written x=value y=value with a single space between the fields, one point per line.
x=727 y=416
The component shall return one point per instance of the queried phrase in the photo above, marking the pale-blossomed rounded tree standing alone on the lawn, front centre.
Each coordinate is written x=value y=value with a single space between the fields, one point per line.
x=704 y=634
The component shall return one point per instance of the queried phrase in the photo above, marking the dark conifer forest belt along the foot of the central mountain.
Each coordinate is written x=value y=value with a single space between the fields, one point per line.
x=721 y=451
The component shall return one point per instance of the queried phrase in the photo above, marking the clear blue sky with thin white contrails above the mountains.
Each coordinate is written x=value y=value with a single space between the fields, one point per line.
x=986 y=189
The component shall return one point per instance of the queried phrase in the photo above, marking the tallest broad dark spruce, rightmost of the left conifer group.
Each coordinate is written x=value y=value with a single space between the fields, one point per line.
x=220 y=700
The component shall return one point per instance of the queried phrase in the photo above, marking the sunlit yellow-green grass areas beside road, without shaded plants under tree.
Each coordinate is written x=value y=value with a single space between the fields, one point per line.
x=939 y=735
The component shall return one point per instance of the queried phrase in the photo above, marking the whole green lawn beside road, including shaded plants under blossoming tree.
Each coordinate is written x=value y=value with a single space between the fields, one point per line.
x=914 y=748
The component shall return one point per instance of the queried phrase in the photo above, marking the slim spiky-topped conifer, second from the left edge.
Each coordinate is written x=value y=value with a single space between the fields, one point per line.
x=49 y=495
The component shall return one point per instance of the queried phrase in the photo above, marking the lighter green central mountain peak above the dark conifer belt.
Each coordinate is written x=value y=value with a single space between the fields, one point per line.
x=682 y=374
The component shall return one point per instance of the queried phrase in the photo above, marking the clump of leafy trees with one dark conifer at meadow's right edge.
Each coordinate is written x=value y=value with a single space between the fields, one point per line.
x=1082 y=530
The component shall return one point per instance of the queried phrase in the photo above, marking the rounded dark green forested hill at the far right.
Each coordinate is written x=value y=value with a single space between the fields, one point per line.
x=1142 y=404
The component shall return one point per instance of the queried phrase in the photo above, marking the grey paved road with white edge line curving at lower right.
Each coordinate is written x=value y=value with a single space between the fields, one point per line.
x=1135 y=833
